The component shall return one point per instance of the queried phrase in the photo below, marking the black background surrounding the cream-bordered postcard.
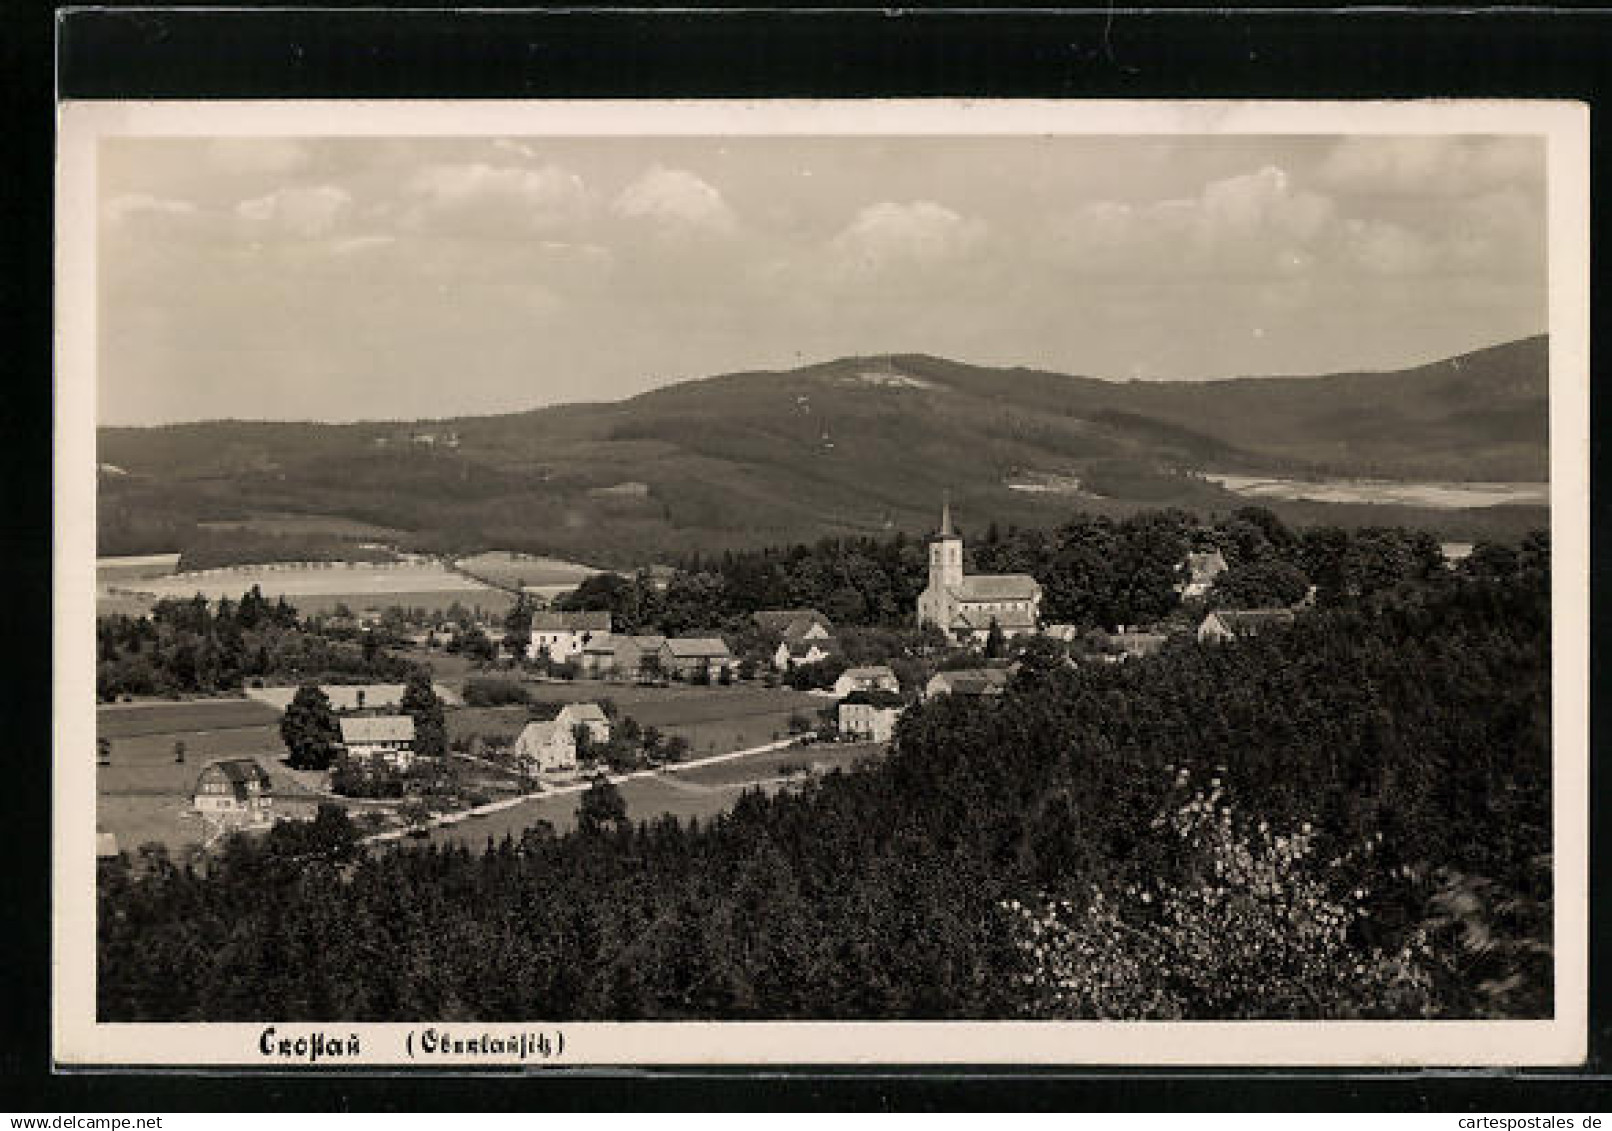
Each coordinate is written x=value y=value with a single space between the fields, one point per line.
x=839 y=54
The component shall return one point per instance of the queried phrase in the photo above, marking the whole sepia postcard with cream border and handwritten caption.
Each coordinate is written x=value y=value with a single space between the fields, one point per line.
x=931 y=582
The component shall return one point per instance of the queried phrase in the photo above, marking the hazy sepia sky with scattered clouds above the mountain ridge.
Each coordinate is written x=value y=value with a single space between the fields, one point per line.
x=343 y=280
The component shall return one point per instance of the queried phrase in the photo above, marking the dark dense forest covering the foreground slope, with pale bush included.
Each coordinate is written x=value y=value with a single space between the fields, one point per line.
x=1342 y=819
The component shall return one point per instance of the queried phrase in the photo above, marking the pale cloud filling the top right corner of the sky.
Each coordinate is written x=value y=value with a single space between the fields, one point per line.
x=1432 y=167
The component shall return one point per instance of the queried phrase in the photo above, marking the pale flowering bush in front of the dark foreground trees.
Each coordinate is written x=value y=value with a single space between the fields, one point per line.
x=1252 y=924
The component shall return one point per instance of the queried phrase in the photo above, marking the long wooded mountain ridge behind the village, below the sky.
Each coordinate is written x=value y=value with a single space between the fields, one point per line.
x=845 y=447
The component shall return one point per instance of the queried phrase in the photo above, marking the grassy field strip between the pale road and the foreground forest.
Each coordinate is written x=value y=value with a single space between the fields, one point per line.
x=699 y=793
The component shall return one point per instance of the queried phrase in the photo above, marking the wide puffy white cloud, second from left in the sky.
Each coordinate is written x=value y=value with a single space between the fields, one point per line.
x=476 y=199
